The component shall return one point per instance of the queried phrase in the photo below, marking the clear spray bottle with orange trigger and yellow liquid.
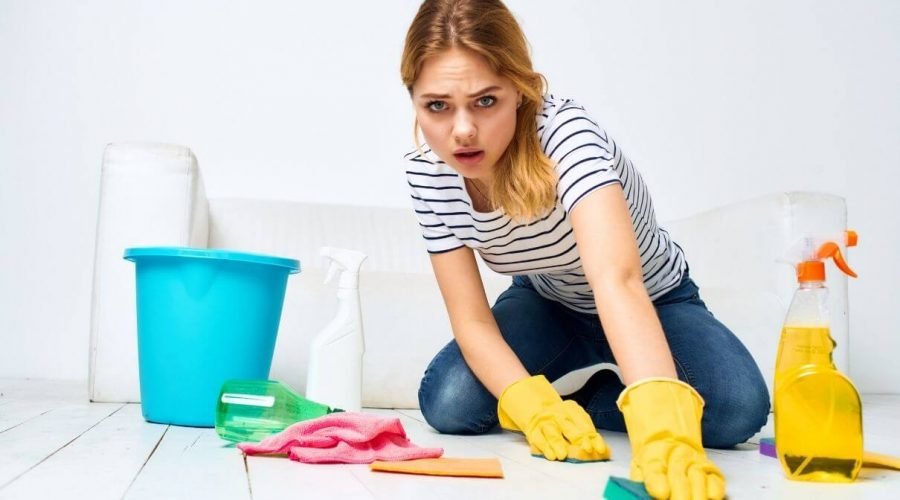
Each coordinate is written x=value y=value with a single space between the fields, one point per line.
x=818 y=414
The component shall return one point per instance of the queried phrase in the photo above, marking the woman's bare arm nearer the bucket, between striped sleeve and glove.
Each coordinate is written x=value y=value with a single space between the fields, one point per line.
x=474 y=327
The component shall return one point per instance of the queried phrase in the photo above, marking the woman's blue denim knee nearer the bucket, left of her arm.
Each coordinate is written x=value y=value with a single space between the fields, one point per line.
x=453 y=401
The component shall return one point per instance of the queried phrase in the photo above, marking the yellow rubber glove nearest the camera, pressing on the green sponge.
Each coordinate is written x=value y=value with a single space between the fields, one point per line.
x=663 y=420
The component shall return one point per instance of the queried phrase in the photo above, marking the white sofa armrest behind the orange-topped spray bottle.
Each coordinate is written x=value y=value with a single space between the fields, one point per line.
x=737 y=257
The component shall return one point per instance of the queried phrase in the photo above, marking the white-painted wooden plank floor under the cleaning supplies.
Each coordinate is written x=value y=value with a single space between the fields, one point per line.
x=54 y=445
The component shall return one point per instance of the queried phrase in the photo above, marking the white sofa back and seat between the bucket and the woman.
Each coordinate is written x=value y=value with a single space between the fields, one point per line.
x=404 y=319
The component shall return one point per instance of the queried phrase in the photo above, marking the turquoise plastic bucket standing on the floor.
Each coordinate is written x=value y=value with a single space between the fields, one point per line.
x=204 y=316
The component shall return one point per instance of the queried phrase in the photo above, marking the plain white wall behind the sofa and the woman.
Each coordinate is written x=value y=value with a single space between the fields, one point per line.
x=714 y=102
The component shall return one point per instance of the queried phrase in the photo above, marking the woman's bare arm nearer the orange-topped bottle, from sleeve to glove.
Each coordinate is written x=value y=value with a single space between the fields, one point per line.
x=609 y=254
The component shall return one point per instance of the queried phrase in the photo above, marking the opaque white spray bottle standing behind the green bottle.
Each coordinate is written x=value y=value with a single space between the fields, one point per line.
x=335 y=362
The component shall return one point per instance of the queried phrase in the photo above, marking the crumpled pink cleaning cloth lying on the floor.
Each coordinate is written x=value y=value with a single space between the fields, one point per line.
x=343 y=437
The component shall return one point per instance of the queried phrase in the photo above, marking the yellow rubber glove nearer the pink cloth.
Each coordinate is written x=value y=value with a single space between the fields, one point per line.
x=556 y=429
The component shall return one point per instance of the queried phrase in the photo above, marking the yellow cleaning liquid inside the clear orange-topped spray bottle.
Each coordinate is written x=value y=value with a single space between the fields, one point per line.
x=818 y=414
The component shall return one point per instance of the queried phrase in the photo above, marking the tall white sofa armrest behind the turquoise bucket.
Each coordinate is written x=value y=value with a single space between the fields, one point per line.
x=150 y=194
